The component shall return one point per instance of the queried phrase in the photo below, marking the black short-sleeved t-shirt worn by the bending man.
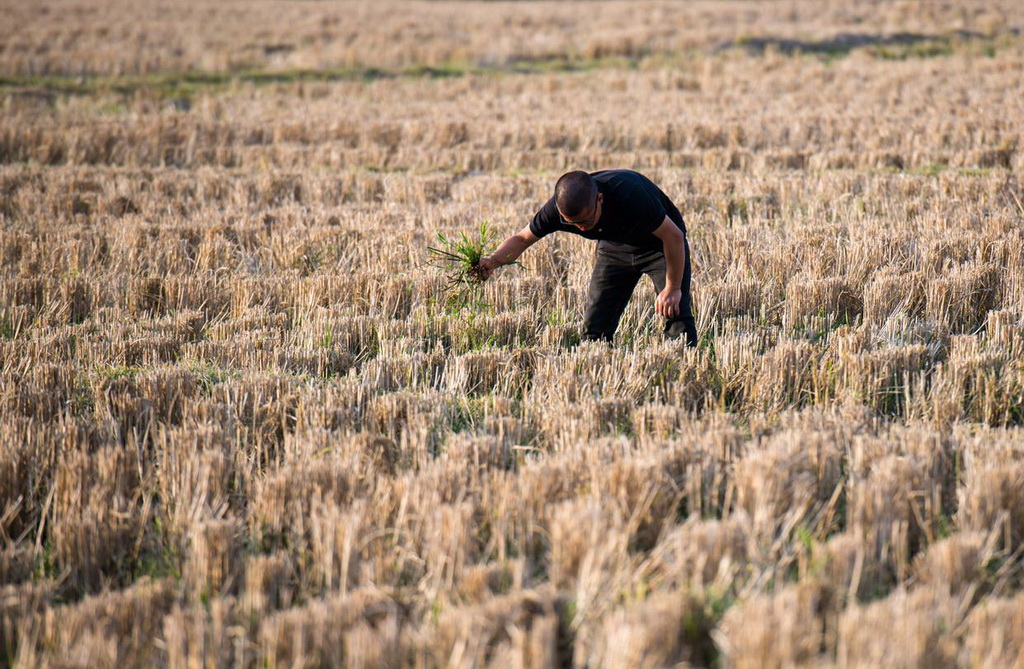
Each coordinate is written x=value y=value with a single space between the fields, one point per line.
x=633 y=210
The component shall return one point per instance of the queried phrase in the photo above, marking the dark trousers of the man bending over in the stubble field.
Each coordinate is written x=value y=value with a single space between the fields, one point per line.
x=617 y=271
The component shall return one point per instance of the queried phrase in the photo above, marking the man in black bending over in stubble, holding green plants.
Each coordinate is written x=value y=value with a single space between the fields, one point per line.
x=638 y=232
